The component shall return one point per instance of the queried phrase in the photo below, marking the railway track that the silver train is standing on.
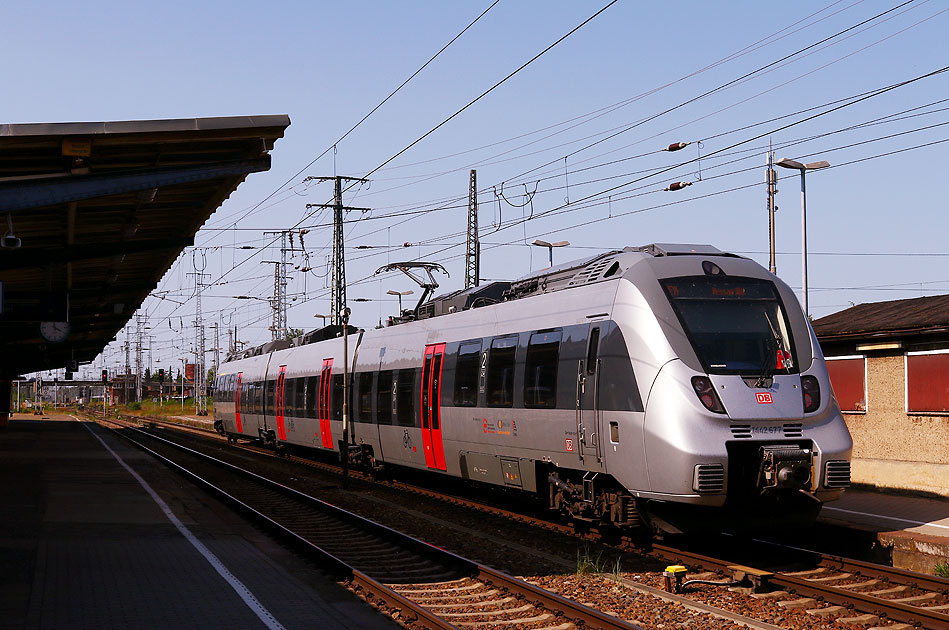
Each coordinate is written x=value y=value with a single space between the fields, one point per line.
x=858 y=592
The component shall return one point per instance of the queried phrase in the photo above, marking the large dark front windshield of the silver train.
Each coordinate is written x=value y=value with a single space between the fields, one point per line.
x=736 y=325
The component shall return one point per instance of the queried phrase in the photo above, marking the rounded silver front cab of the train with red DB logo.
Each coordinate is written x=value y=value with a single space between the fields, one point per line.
x=741 y=427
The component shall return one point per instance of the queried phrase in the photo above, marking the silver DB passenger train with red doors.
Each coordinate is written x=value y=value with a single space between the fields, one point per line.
x=665 y=387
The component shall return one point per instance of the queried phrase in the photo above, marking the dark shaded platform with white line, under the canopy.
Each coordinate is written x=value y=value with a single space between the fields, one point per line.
x=83 y=544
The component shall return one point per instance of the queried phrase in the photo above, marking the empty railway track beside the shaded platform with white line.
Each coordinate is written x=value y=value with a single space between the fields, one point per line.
x=431 y=587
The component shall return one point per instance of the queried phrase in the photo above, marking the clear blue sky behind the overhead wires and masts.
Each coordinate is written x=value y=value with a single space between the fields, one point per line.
x=876 y=228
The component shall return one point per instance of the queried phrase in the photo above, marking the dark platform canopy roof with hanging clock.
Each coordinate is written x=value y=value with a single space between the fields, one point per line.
x=94 y=214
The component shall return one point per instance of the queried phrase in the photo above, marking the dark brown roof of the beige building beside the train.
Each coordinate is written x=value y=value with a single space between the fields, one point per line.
x=894 y=318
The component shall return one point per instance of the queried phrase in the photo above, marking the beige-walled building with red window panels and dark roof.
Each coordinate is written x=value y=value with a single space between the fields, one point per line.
x=889 y=365
